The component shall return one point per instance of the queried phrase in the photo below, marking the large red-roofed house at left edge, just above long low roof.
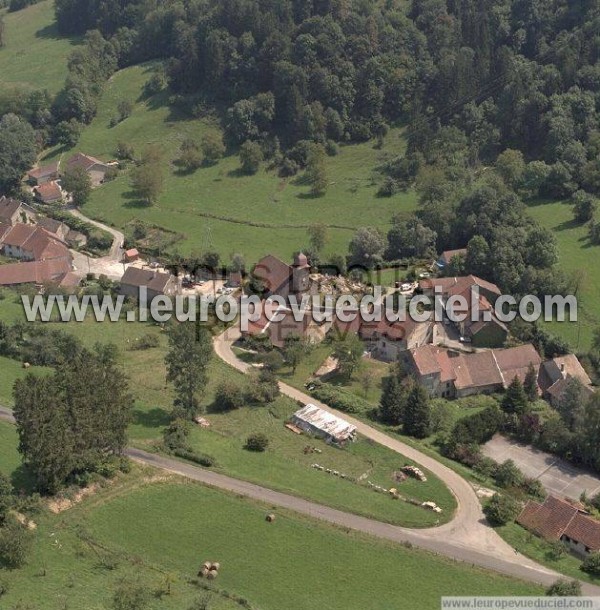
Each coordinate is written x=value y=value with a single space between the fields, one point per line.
x=32 y=243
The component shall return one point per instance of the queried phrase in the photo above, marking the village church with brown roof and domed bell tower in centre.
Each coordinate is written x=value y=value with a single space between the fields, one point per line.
x=279 y=278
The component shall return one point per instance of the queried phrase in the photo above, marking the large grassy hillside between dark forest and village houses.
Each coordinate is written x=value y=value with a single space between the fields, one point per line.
x=283 y=206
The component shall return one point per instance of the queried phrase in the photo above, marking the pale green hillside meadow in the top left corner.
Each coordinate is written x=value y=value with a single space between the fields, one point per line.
x=34 y=56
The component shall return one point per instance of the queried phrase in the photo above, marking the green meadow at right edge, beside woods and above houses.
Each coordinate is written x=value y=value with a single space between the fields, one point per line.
x=577 y=258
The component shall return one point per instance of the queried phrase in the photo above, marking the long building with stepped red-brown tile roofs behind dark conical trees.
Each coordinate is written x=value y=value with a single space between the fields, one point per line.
x=447 y=373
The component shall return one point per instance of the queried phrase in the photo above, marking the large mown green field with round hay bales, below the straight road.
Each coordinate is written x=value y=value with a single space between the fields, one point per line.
x=156 y=531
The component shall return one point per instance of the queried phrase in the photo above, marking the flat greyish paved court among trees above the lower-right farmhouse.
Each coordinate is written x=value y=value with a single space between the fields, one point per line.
x=557 y=476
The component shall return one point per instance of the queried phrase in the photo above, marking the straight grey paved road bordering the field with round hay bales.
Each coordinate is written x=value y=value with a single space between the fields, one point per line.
x=434 y=540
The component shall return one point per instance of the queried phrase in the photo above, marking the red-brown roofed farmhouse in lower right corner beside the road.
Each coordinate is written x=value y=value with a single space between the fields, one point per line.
x=557 y=519
